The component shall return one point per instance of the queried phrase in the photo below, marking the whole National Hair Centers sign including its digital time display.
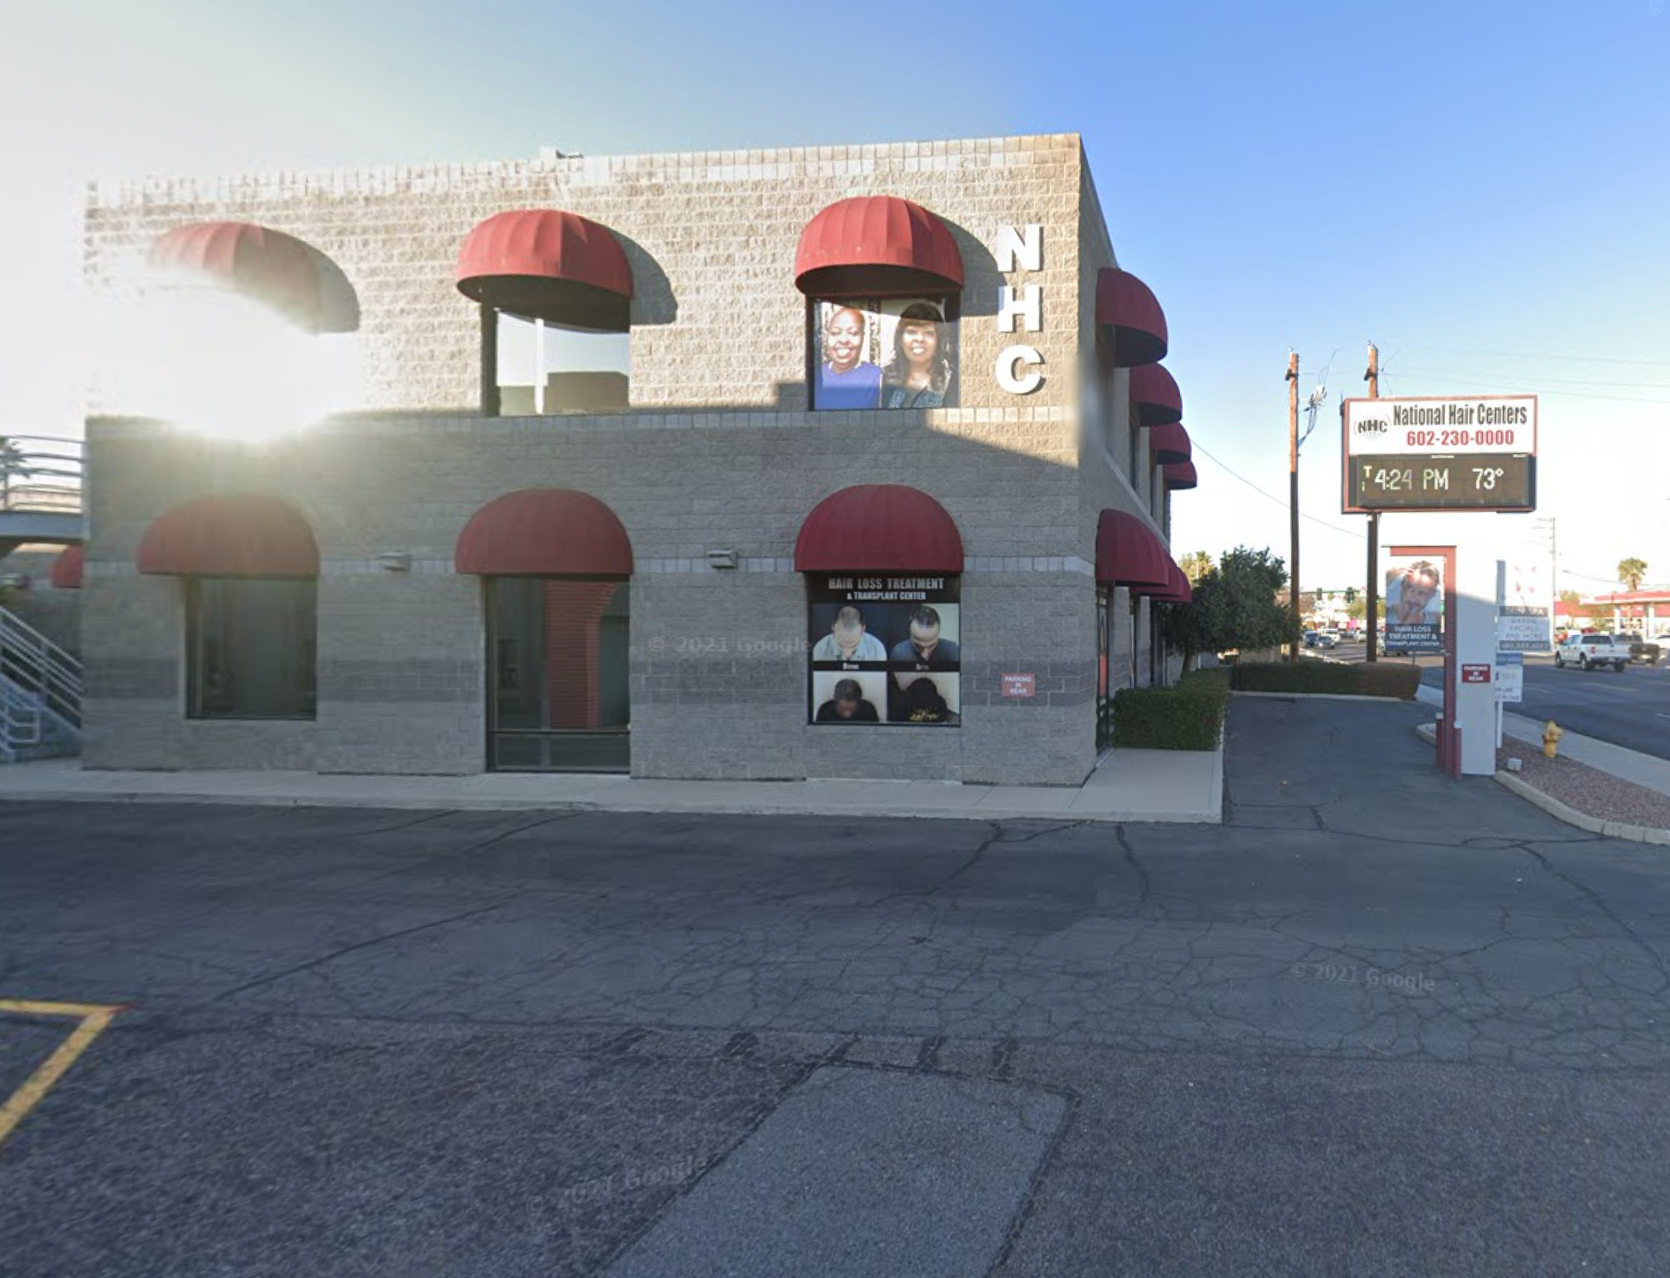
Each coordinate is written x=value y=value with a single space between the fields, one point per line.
x=1437 y=455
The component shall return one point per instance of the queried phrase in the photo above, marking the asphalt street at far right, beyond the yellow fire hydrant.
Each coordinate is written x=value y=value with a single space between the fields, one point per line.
x=1629 y=709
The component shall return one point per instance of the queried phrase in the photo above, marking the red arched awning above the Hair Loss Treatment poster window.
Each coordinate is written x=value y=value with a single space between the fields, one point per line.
x=879 y=529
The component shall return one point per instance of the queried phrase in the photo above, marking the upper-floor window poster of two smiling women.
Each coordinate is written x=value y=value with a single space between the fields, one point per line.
x=884 y=353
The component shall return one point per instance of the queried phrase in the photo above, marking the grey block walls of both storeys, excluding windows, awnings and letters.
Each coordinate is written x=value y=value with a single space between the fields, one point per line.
x=717 y=452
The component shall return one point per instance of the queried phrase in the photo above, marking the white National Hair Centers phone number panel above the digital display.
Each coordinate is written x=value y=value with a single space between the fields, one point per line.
x=1506 y=423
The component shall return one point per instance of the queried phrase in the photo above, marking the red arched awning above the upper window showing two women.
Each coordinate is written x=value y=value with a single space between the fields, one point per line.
x=878 y=246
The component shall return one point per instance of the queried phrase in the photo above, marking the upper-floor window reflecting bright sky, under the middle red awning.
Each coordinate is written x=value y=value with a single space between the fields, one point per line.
x=544 y=370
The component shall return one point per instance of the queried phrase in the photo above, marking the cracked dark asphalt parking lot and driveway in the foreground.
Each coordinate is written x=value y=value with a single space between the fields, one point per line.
x=1379 y=1023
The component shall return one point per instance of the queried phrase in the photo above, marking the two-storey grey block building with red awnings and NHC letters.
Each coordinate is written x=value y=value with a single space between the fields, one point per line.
x=829 y=462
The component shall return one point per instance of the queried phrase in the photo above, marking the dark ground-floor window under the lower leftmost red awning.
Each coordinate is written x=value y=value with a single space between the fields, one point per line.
x=253 y=649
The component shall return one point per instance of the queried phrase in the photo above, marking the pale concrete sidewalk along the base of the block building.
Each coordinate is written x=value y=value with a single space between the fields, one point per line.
x=1128 y=786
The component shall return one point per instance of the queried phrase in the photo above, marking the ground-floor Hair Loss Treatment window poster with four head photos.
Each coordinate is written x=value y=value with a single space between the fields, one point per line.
x=886 y=651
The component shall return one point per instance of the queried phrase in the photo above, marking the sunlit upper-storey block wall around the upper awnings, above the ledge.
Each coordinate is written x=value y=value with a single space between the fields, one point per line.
x=711 y=236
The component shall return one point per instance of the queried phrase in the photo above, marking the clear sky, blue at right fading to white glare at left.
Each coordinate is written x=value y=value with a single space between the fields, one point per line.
x=1482 y=190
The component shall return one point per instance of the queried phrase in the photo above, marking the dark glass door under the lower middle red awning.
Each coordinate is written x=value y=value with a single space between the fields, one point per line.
x=559 y=676
